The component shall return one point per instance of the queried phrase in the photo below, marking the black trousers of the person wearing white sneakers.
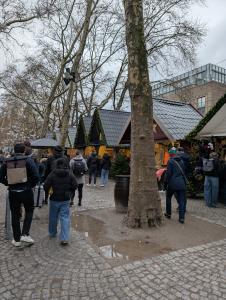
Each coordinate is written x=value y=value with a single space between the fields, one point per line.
x=16 y=199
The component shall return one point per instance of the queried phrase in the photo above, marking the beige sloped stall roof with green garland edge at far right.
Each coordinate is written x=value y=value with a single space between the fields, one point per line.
x=213 y=124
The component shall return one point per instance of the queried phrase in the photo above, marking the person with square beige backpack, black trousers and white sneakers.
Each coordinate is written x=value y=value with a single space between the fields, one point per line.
x=20 y=174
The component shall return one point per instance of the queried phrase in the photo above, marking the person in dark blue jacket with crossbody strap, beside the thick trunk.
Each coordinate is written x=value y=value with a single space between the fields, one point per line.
x=176 y=184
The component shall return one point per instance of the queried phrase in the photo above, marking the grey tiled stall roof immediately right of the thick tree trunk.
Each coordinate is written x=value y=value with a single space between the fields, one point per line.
x=176 y=119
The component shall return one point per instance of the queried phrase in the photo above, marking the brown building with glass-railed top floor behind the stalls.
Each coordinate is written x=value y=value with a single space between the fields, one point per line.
x=201 y=87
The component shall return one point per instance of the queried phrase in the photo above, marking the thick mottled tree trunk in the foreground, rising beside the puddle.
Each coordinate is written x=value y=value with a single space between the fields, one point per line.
x=144 y=200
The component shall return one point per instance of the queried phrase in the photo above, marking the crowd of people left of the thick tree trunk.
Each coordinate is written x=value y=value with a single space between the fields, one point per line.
x=60 y=177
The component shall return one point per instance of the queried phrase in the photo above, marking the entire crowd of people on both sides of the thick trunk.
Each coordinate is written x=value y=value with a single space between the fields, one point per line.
x=61 y=176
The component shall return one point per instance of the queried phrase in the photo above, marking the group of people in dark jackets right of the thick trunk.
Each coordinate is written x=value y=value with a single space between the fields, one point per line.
x=179 y=171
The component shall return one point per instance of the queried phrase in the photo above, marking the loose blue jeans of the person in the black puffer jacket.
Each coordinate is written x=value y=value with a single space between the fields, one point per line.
x=59 y=210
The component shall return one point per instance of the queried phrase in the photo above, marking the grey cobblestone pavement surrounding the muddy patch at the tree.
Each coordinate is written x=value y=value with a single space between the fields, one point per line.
x=49 y=271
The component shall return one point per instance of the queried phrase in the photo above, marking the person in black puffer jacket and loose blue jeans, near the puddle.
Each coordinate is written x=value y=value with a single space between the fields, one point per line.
x=63 y=184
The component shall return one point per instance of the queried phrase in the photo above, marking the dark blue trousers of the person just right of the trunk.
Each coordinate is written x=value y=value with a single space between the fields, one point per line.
x=181 y=199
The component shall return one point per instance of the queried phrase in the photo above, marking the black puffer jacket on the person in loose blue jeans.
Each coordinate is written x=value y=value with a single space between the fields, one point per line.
x=63 y=184
